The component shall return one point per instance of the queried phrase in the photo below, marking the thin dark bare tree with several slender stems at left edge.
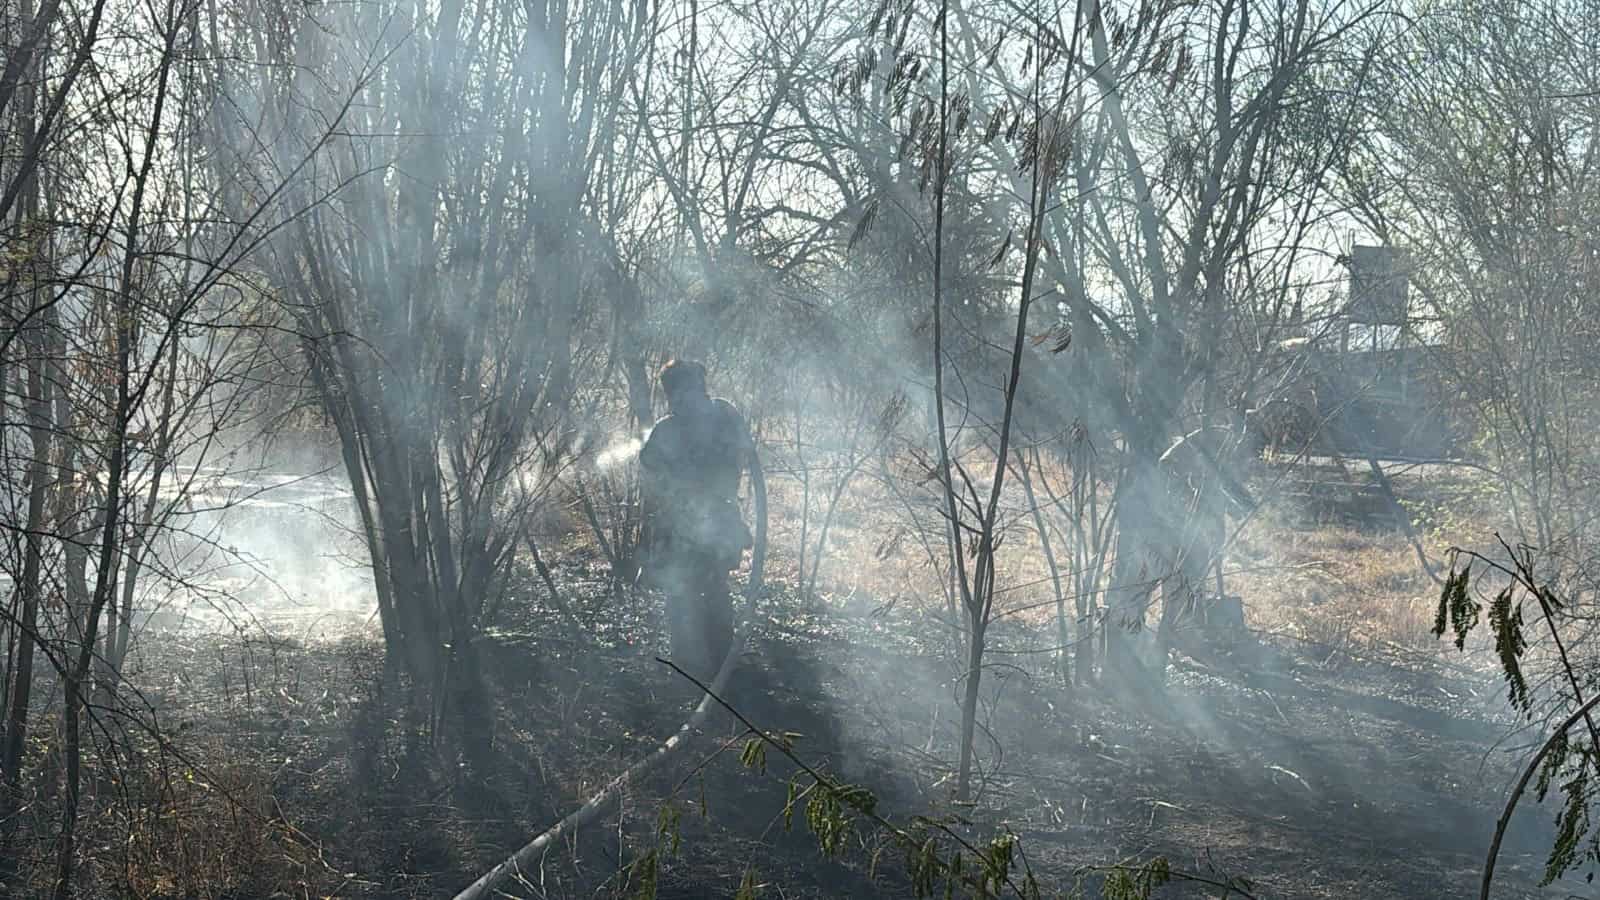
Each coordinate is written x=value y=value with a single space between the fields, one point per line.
x=124 y=342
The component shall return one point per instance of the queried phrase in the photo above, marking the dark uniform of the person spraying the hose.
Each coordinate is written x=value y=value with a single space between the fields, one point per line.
x=697 y=534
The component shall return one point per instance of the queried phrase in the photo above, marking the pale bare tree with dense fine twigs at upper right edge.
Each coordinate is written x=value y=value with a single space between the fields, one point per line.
x=1495 y=204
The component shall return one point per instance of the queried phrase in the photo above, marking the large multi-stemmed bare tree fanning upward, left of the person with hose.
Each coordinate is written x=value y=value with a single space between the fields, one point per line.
x=439 y=291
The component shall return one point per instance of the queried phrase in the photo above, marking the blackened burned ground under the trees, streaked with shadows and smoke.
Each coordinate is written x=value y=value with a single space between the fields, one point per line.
x=1310 y=774
